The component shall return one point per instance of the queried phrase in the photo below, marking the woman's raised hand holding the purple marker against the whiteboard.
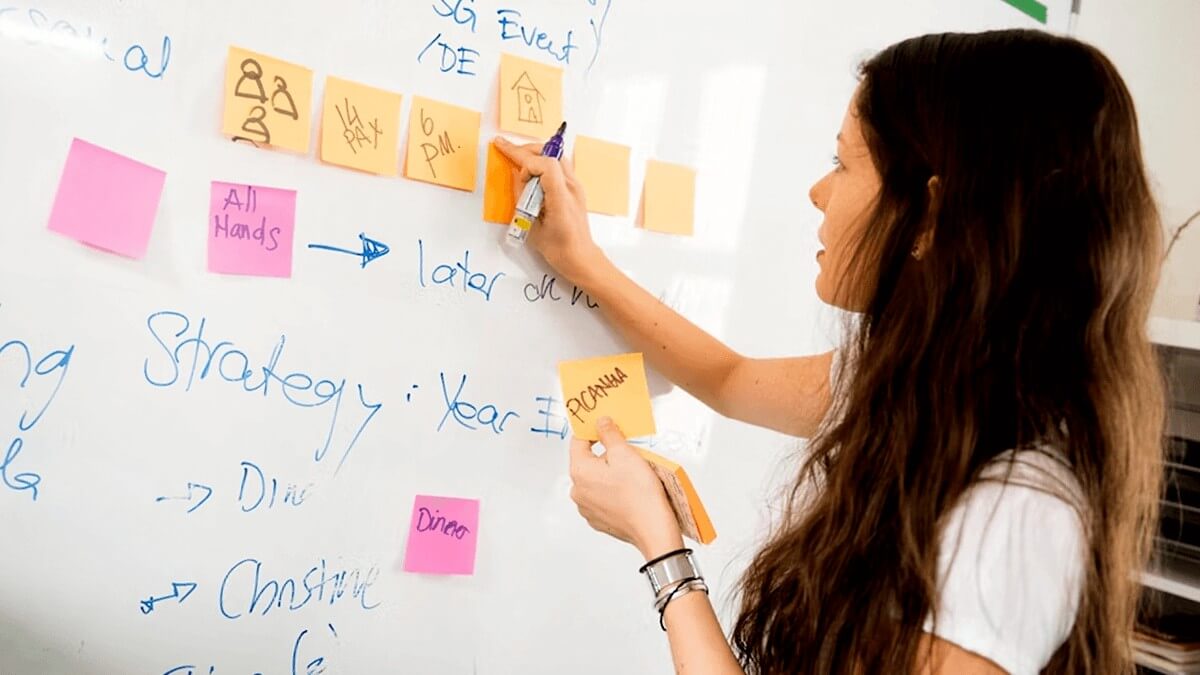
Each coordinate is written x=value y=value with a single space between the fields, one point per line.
x=561 y=235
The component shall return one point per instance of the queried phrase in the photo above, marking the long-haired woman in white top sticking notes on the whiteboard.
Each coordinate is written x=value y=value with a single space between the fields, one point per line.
x=985 y=451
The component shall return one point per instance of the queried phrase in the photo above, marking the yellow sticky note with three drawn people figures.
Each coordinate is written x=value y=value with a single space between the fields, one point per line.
x=267 y=100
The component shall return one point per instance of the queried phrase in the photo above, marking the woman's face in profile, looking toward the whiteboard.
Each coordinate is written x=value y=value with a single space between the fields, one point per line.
x=845 y=196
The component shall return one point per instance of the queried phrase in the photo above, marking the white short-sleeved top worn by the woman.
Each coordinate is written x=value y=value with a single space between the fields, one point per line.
x=1011 y=560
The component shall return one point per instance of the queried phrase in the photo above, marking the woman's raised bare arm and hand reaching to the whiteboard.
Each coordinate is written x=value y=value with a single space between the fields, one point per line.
x=785 y=395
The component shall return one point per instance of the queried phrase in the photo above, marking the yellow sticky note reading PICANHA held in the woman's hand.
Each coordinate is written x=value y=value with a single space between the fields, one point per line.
x=608 y=387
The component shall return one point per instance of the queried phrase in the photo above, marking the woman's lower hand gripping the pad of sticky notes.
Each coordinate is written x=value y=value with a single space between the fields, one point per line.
x=620 y=494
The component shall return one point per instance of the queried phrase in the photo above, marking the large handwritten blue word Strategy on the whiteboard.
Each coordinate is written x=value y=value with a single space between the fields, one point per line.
x=232 y=366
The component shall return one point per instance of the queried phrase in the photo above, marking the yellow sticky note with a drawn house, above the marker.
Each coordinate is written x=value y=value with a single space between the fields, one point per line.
x=531 y=97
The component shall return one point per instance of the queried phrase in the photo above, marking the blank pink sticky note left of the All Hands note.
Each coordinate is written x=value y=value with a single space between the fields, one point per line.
x=107 y=200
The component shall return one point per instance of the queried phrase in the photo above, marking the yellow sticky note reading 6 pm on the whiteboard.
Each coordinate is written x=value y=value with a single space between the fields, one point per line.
x=443 y=145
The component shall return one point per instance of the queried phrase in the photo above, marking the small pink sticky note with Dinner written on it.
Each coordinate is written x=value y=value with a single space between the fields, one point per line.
x=442 y=536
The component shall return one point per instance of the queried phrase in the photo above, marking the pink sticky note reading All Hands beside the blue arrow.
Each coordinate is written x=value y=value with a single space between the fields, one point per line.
x=251 y=229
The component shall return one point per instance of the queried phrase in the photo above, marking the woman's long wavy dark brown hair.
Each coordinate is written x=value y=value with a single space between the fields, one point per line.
x=1023 y=324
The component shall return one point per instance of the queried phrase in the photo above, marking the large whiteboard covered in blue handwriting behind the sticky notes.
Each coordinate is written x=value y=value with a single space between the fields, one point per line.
x=153 y=476
